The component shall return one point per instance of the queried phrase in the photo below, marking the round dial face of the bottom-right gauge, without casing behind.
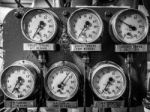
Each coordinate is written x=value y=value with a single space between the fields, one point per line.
x=109 y=83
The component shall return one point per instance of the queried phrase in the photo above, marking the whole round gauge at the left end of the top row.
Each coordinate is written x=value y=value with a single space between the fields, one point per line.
x=39 y=25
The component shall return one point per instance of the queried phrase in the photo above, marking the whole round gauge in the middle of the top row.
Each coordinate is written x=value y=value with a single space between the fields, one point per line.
x=85 y=26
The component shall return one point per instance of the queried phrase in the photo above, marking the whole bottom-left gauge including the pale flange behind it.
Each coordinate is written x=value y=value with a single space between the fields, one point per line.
x=19 y=79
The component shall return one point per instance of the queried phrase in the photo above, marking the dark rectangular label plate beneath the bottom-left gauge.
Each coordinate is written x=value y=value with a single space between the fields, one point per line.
x=19 y=104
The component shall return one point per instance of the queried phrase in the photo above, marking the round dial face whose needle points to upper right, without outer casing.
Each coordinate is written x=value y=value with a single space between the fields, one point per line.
x=62 y=83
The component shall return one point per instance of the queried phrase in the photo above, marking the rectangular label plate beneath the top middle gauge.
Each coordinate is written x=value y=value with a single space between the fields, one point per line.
x=85 y=47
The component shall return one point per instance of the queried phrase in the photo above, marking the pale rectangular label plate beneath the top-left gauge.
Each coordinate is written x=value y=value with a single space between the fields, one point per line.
x=38 y=47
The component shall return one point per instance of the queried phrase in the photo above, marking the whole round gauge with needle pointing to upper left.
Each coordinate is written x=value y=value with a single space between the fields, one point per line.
x=129 y=26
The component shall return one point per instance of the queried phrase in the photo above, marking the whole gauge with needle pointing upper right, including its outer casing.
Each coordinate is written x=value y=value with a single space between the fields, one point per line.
x=62 y=81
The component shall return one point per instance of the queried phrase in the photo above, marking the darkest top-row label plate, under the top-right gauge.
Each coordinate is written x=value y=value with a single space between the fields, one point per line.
x=131 y=48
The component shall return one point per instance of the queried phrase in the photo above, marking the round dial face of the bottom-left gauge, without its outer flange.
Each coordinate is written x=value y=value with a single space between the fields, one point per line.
x=18 y=82
